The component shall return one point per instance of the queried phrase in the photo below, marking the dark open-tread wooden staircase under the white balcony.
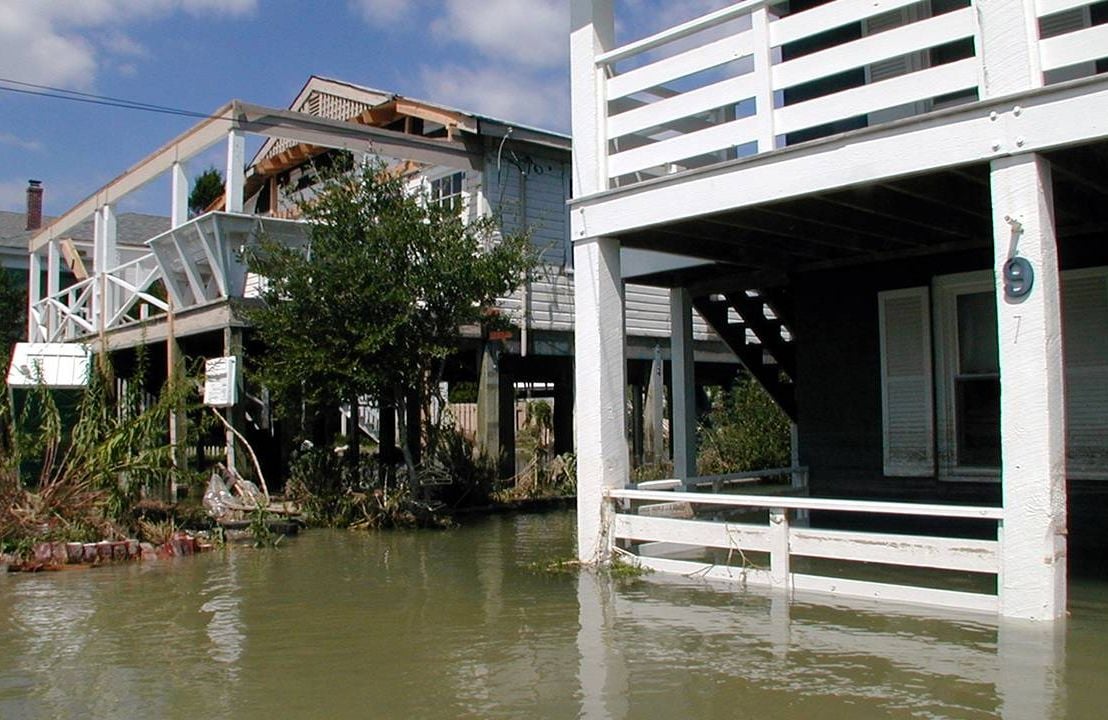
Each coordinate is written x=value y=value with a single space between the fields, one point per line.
x=756 y=325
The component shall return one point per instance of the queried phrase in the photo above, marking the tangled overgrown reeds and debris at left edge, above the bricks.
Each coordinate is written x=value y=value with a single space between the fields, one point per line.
x=78 y=476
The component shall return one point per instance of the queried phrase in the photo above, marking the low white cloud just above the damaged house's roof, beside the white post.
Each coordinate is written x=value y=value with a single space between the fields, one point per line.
x=542 y=101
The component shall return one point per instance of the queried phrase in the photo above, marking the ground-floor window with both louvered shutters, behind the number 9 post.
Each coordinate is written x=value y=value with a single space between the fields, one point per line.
x=948 y=424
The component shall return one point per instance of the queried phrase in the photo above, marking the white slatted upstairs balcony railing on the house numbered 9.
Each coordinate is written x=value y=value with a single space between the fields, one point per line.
x=734 y=84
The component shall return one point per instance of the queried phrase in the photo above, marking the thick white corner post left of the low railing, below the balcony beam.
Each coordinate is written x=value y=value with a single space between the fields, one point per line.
x=601 y=385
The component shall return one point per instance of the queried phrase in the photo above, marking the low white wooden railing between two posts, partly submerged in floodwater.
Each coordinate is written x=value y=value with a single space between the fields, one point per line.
x=783 y=540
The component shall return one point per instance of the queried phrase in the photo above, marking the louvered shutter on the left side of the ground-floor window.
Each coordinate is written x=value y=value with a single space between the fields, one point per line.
x=907 y=397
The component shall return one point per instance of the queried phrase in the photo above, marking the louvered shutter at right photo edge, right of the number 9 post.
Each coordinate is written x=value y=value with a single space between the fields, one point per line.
x=1085 y=322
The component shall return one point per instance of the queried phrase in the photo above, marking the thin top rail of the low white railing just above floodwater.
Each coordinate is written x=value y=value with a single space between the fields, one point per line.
x=878 y=508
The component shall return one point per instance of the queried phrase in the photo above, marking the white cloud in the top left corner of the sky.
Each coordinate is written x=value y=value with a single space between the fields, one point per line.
x=63 y=43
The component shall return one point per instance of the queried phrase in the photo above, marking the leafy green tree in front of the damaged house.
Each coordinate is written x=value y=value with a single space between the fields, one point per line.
x=375 y=303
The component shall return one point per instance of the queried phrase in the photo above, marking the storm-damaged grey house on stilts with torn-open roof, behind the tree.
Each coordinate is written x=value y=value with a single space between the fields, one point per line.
x=181 y=291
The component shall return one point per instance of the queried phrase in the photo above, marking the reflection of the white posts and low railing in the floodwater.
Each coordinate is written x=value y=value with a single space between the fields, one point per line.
x=685 y=650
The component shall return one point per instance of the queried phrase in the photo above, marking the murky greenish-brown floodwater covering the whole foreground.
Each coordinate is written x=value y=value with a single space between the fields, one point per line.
x=455 y=625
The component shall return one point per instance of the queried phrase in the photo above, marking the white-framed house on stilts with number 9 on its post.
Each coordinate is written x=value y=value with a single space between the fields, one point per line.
x=895 y=213
